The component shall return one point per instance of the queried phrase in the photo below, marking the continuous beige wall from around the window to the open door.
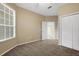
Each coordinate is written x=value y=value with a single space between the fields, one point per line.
x=28 y=28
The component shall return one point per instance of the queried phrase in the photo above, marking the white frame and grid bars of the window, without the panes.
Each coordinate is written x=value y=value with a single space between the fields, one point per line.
x=14 y=22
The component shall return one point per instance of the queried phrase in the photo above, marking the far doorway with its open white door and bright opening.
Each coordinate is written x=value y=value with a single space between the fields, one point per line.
x=48 y=30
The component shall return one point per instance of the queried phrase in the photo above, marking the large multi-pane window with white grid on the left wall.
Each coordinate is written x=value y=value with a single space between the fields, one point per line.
x=7 y=23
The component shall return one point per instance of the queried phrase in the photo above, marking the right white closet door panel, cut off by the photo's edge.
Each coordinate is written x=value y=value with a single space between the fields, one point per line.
x=76 y=31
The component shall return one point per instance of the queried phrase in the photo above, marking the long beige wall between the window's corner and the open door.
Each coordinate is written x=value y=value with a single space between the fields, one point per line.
x=28 y=26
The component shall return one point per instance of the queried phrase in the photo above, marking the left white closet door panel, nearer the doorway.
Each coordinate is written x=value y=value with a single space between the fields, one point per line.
x=67 y=31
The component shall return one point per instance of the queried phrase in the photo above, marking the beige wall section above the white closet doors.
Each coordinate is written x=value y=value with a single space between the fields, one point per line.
x=68 y=8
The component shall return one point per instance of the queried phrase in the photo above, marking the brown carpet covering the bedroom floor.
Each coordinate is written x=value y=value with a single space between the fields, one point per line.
x=42 y=48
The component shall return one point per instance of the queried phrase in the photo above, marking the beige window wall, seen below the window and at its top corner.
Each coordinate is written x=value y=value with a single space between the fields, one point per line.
x=4 y=46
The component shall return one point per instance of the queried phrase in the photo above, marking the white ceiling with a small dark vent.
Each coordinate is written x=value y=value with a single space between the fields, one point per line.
x=42 y=8
